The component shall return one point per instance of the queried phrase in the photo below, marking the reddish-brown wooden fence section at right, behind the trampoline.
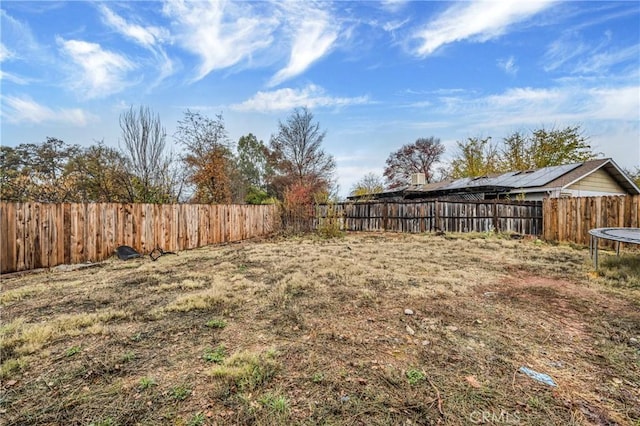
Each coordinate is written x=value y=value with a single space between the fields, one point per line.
x=570 y=219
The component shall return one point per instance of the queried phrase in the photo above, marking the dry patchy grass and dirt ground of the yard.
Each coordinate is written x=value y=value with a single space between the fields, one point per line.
x=304 y=330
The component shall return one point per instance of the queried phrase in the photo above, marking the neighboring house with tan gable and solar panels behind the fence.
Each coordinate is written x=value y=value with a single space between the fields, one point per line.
x=588 y=179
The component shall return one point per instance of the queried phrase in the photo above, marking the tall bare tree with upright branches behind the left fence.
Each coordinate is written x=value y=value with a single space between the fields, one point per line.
x=144 y=141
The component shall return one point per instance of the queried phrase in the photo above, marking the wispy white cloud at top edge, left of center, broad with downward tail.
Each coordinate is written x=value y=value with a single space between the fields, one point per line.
x=221 y=33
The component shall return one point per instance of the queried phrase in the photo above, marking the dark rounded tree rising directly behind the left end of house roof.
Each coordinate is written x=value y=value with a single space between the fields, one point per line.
x=418 y=157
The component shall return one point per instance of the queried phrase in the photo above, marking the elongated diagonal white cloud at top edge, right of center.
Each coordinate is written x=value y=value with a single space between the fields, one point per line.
x=478 y=21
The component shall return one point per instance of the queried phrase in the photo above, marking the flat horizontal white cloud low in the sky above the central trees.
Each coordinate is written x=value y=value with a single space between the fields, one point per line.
x=285 y=99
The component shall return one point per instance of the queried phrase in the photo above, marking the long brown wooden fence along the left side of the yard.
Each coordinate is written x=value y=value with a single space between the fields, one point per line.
x=35 y=235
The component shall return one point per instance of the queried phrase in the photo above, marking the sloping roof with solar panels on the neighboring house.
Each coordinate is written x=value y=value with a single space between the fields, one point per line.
x=537 y=180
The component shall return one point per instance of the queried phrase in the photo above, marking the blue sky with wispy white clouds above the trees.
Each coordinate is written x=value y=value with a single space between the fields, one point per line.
x=376 y=75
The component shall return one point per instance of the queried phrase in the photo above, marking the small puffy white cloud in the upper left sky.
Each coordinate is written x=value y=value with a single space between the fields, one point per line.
x=101 y=72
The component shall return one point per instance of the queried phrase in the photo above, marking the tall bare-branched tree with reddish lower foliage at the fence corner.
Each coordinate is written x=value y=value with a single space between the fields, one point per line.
x=296 y=156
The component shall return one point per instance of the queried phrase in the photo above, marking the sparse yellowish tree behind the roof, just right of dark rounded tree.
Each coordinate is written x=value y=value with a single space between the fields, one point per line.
x=475 y=157
